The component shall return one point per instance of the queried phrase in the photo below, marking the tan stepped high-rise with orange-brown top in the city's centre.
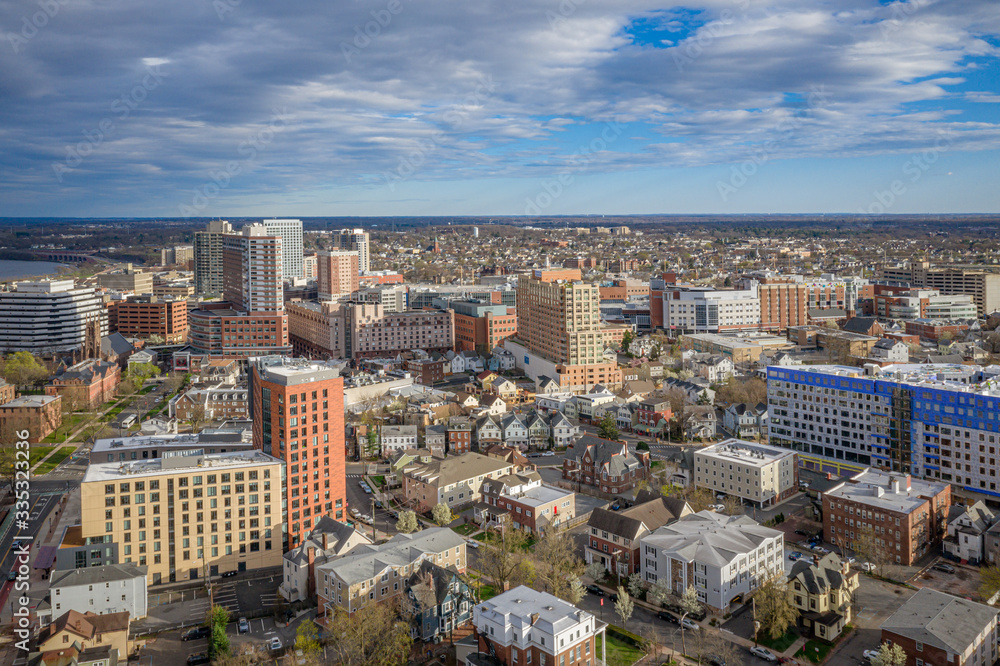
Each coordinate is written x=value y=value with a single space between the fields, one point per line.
x=559 y=322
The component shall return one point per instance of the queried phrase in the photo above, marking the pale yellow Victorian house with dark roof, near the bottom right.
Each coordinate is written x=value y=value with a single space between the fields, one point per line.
x=823 y=589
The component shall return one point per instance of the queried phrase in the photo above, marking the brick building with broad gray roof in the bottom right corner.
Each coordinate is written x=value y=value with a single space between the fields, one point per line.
x=937 y=629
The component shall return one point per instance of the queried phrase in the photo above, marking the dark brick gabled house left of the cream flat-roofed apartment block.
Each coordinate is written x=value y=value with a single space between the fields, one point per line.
x=606 y=466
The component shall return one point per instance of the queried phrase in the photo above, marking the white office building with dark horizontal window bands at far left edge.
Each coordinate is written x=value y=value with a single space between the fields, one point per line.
x=50 y=316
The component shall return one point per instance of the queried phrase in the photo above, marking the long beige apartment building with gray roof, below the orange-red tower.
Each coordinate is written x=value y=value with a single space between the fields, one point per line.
x=377 y=573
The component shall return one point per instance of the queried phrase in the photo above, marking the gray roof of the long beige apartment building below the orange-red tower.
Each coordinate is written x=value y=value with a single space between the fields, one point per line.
x=367 y=561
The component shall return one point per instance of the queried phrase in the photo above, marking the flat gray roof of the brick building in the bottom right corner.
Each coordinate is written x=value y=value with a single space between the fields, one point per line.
x=939 y=619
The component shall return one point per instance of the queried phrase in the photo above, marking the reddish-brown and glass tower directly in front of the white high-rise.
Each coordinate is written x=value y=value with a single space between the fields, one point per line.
x=251 y=267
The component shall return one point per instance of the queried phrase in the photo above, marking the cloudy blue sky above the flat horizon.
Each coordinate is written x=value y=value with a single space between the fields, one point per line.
x=199 y=108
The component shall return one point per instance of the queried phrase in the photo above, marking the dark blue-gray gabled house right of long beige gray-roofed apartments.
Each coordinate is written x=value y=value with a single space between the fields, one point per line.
x=436 y=600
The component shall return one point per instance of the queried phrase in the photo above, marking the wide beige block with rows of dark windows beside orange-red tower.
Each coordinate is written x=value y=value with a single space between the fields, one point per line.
x=187 y=515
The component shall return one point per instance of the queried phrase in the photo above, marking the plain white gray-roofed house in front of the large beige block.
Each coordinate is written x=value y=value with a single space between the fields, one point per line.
x=111 y=588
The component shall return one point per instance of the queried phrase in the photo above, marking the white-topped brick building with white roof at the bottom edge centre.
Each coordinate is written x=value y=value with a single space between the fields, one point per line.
x=526 y=626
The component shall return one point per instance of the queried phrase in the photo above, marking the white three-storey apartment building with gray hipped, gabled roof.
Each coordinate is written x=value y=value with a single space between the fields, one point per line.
x=720 y=556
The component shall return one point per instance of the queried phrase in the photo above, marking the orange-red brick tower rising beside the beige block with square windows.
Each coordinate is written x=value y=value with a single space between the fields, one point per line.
x=297 y=408
